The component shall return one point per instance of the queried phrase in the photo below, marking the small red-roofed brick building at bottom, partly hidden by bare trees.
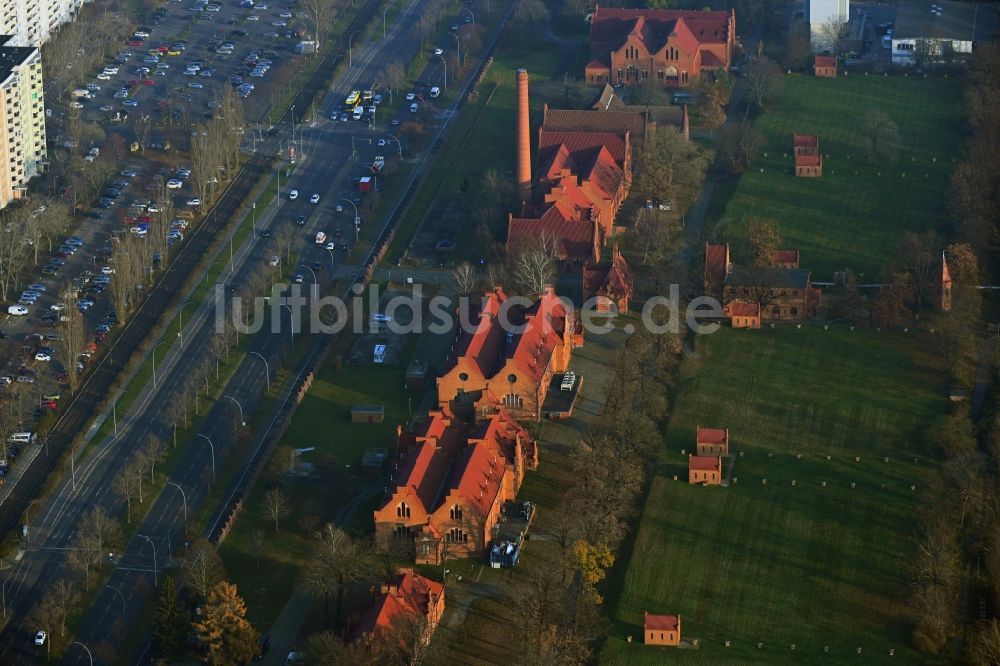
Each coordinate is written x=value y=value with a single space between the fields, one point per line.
x=408 y=606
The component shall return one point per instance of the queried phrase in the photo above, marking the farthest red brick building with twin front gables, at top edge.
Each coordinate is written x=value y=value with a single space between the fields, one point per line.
x=666 y=46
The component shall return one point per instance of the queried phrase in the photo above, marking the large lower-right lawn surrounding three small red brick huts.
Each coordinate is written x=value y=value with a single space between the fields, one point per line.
x=807 y=565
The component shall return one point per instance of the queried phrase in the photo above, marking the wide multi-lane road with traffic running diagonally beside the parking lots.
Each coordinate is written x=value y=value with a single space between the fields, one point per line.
x=325 y=169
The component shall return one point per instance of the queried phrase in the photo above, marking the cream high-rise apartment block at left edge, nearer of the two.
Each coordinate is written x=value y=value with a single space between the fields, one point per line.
x=22 y=118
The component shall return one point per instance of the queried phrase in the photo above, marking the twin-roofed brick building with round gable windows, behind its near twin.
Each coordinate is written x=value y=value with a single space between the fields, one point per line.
x=510 y=356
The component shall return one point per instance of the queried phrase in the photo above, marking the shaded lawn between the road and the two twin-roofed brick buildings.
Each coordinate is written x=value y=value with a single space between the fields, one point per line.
x=322 y=420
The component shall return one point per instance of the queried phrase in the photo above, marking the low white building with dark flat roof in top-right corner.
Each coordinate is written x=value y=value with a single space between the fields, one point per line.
x=929 y=30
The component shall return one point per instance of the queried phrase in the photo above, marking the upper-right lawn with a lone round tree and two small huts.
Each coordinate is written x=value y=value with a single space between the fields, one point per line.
x=856 y=213
